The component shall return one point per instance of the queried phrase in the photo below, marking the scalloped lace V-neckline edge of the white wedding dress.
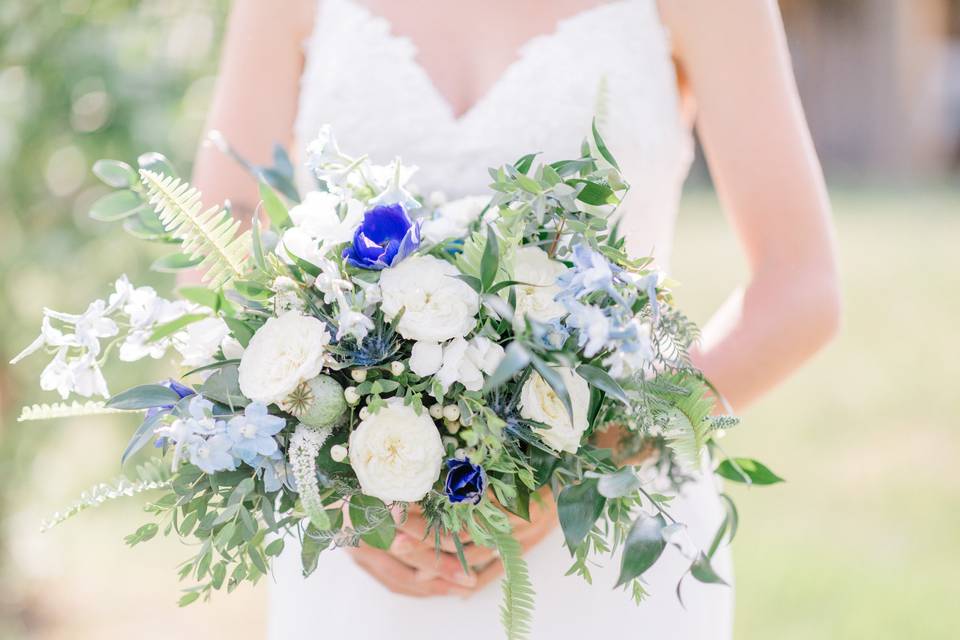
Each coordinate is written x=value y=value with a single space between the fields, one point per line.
x=519 y=57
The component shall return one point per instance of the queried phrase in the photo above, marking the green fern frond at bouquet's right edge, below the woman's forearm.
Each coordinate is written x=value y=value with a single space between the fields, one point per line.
x=689 y=421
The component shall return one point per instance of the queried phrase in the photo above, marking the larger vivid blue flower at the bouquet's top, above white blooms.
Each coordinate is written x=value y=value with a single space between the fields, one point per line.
x=386 y=236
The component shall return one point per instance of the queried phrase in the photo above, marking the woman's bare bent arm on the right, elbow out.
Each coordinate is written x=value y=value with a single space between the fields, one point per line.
x=751 y=124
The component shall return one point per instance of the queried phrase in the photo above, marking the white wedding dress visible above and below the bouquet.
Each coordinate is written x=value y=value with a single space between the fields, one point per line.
x=613 y=61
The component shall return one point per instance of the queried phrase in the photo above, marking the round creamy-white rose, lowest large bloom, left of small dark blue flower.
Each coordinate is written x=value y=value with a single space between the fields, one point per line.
x=396 y=453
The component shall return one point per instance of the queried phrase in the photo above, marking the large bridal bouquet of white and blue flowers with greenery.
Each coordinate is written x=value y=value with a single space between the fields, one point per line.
x=371 y=349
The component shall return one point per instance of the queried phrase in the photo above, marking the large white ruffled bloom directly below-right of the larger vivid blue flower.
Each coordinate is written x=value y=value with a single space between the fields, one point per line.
x=438 y=306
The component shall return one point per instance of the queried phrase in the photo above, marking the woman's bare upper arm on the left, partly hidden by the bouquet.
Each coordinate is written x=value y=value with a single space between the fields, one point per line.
x=256 y=95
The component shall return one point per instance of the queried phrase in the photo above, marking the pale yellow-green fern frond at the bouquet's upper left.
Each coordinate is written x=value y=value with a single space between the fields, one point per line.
x=209 y=236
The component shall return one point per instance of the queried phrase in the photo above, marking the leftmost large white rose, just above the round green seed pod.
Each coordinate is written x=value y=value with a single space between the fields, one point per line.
x=284 y=352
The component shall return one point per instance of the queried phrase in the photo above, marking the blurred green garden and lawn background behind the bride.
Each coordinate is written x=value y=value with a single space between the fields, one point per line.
x=862 y=542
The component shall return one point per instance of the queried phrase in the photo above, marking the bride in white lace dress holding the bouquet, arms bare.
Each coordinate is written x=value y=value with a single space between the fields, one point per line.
x=455 y=87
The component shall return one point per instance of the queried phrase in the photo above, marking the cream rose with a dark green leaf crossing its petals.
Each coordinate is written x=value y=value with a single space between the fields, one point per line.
x=539 y=402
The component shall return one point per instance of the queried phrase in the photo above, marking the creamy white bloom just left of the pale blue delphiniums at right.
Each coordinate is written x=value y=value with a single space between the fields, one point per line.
x=536 y=297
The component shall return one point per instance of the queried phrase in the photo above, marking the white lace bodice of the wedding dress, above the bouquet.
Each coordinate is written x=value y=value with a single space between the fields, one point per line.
x=612 y=61
